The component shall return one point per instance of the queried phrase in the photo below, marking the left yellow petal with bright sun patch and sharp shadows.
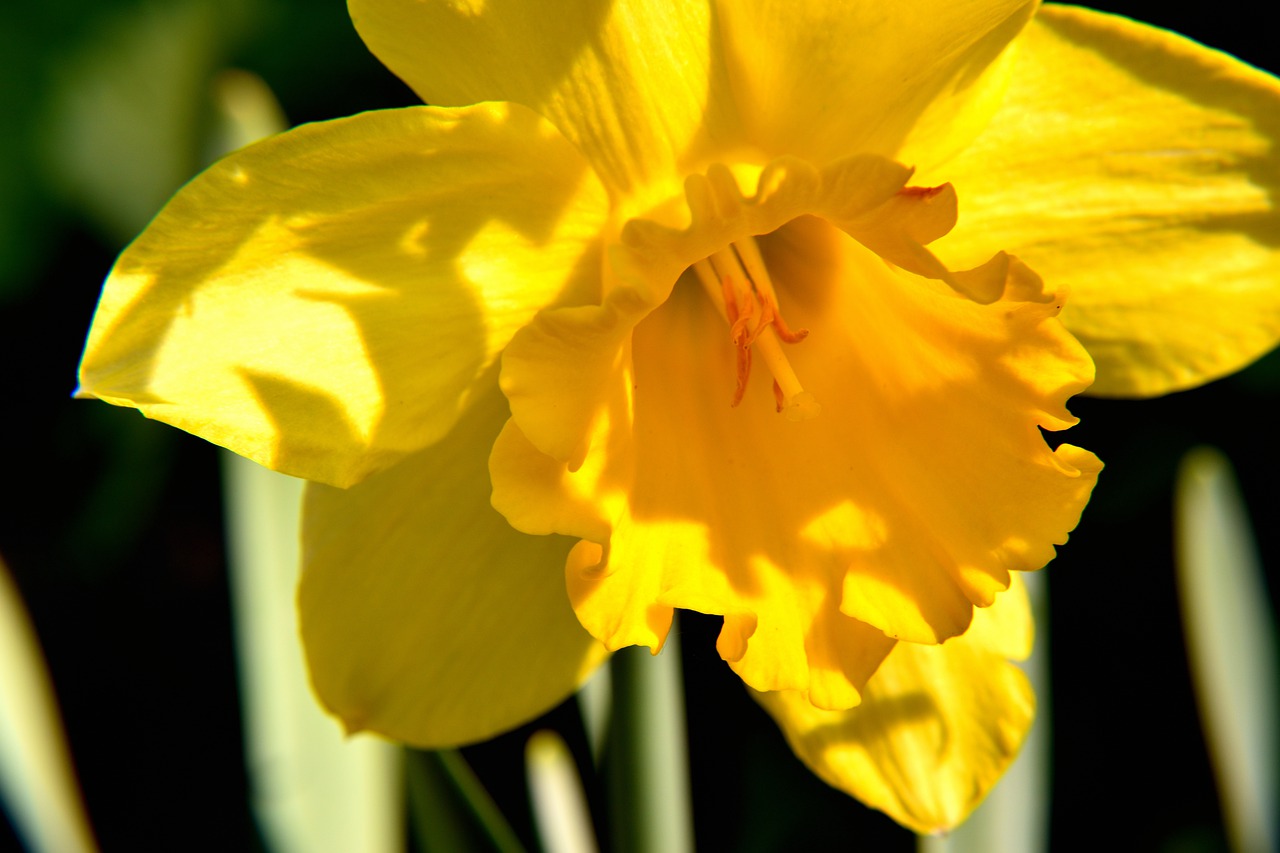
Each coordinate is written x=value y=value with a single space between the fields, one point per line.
x=326 y=302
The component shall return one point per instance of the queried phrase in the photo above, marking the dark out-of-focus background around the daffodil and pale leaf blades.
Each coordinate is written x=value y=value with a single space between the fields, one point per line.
x=113 y=526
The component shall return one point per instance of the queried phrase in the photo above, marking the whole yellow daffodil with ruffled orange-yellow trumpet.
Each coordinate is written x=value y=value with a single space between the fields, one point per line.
x=577 y=288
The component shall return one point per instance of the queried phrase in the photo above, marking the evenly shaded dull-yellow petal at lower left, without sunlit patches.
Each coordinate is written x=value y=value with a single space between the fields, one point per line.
x=426 y=617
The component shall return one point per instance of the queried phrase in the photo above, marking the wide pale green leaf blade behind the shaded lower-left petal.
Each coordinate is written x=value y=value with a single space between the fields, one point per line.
x=313 y=788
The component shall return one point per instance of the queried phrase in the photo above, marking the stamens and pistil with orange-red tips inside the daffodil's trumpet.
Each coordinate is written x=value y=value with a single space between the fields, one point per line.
x=739 y=286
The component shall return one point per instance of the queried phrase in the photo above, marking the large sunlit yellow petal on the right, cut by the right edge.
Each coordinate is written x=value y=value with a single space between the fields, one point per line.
x=1141 y=171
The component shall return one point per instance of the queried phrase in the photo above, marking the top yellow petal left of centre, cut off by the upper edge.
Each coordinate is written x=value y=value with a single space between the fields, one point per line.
x=629 y=83
